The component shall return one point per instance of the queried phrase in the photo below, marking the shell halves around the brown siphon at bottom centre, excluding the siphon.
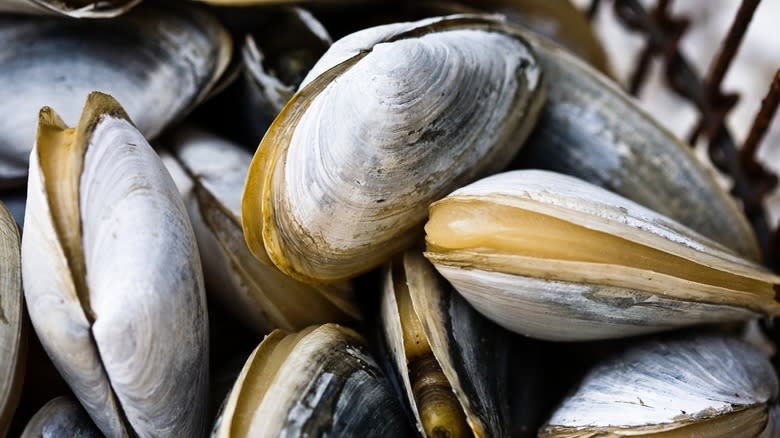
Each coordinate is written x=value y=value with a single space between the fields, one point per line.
x=472 y=351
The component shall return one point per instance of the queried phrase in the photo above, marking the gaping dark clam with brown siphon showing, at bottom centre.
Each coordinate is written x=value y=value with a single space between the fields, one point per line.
x=451 y=360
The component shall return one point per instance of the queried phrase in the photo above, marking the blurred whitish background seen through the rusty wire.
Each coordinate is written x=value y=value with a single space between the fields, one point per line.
x=750 y=74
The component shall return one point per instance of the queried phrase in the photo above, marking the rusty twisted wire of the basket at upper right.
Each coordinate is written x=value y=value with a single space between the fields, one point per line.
x=752 y=182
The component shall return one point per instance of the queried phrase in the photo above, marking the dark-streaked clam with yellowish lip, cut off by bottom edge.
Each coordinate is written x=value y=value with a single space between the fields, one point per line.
x=320 y=381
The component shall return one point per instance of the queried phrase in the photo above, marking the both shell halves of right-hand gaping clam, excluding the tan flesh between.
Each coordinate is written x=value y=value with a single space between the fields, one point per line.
x=568 y=299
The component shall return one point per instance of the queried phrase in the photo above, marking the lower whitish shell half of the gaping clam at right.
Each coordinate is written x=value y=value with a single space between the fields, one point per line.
x=566 y=311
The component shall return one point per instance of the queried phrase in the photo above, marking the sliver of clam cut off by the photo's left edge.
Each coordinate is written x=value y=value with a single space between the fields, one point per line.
x=12 y=334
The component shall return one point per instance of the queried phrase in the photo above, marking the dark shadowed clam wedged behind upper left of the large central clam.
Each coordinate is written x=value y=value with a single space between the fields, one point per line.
x=280 y=46
